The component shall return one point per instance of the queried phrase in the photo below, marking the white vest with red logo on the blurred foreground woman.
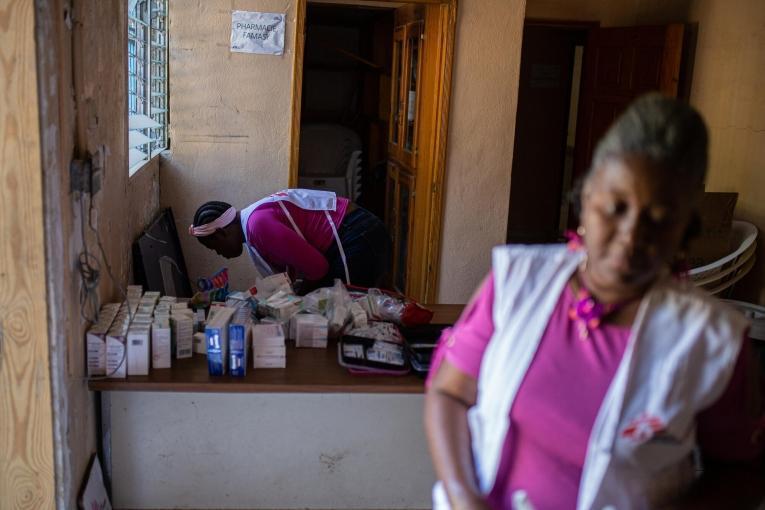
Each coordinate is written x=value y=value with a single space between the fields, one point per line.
x=680 y=356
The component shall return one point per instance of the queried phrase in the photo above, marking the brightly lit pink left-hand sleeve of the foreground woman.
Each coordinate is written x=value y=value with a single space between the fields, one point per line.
x=464 y=344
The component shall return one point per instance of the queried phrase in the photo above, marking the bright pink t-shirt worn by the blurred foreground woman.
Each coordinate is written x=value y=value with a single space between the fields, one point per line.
x=559 y=398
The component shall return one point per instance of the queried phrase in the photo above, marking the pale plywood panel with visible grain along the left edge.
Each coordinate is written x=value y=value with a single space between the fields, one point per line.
x=26 y=439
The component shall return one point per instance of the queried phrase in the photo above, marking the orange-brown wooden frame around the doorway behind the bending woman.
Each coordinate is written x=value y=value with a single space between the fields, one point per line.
x=430 y=185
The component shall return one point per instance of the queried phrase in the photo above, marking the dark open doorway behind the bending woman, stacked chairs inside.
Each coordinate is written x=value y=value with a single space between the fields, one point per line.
x=346 y=102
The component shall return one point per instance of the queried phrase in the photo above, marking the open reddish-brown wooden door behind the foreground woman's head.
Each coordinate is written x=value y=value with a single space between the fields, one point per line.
x=621 y=64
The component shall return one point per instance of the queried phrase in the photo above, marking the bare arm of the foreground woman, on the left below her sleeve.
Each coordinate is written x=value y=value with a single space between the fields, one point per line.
x=447 y=400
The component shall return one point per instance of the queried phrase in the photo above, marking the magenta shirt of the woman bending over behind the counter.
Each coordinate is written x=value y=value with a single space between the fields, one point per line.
x=271 y=234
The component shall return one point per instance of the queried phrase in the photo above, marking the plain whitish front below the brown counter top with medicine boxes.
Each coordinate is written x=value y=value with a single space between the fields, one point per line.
x=192 y=450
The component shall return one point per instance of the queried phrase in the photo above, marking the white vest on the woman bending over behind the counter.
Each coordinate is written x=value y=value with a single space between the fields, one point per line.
x=308 y=199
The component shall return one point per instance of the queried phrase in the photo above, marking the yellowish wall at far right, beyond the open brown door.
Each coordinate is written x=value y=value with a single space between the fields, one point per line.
x=727 y=87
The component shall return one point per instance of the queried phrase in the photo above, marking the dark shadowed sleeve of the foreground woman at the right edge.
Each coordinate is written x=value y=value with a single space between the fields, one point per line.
x=733 y=428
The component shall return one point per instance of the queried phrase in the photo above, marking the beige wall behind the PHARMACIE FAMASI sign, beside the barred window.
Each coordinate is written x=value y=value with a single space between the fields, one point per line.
x=230 y=120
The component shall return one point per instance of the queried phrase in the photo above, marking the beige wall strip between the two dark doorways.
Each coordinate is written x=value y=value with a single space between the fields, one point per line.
x=480 y=143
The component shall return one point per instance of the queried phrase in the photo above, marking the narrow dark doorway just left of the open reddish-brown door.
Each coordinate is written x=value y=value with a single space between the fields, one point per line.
x=545 y=131
